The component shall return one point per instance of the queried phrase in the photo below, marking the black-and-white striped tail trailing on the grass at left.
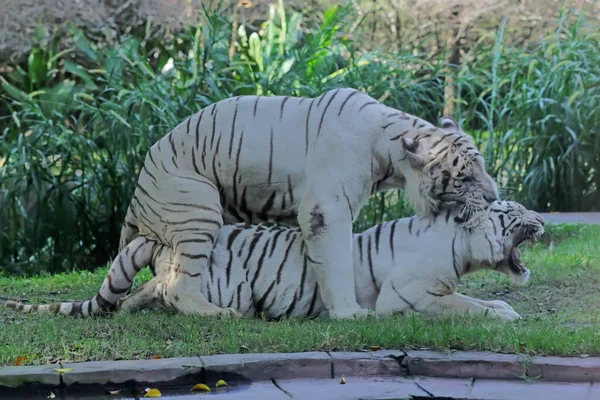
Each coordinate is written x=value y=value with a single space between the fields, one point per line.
x=135 y=256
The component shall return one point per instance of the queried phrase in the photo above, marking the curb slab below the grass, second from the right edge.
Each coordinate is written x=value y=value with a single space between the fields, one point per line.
x=463 y=364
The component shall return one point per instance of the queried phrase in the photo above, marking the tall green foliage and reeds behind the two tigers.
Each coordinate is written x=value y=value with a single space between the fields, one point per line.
x=75 y=124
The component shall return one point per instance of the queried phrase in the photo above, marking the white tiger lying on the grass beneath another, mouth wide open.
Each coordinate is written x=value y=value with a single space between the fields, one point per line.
x=403 y=265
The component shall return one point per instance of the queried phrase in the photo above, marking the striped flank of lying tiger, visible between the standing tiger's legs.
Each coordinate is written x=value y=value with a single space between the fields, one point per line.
x=265 y=270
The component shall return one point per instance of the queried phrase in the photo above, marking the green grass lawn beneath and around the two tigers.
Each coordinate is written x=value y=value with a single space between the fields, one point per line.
x=560 y=306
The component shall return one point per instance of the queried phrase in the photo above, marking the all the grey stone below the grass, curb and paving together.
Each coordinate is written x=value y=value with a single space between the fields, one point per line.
x=383 y=374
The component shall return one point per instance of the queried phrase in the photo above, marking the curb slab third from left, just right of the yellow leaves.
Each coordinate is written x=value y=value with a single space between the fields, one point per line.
x=260 y=367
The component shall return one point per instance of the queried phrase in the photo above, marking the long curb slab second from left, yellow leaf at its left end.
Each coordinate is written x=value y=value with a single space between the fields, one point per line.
x=141 y=371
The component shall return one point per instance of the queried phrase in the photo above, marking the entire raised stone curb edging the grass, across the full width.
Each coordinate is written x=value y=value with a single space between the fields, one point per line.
x=249 y=368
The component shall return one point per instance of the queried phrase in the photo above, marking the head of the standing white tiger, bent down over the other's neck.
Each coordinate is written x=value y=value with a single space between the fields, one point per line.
x=450 y=169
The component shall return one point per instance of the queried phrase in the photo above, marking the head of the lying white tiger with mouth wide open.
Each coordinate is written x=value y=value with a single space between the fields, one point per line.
x=494 y=243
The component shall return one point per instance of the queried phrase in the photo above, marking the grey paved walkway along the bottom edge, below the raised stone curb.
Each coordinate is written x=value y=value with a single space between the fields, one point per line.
x=388 y=388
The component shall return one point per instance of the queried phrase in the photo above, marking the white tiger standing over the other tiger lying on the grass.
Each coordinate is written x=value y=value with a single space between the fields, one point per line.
x=310 y=162
